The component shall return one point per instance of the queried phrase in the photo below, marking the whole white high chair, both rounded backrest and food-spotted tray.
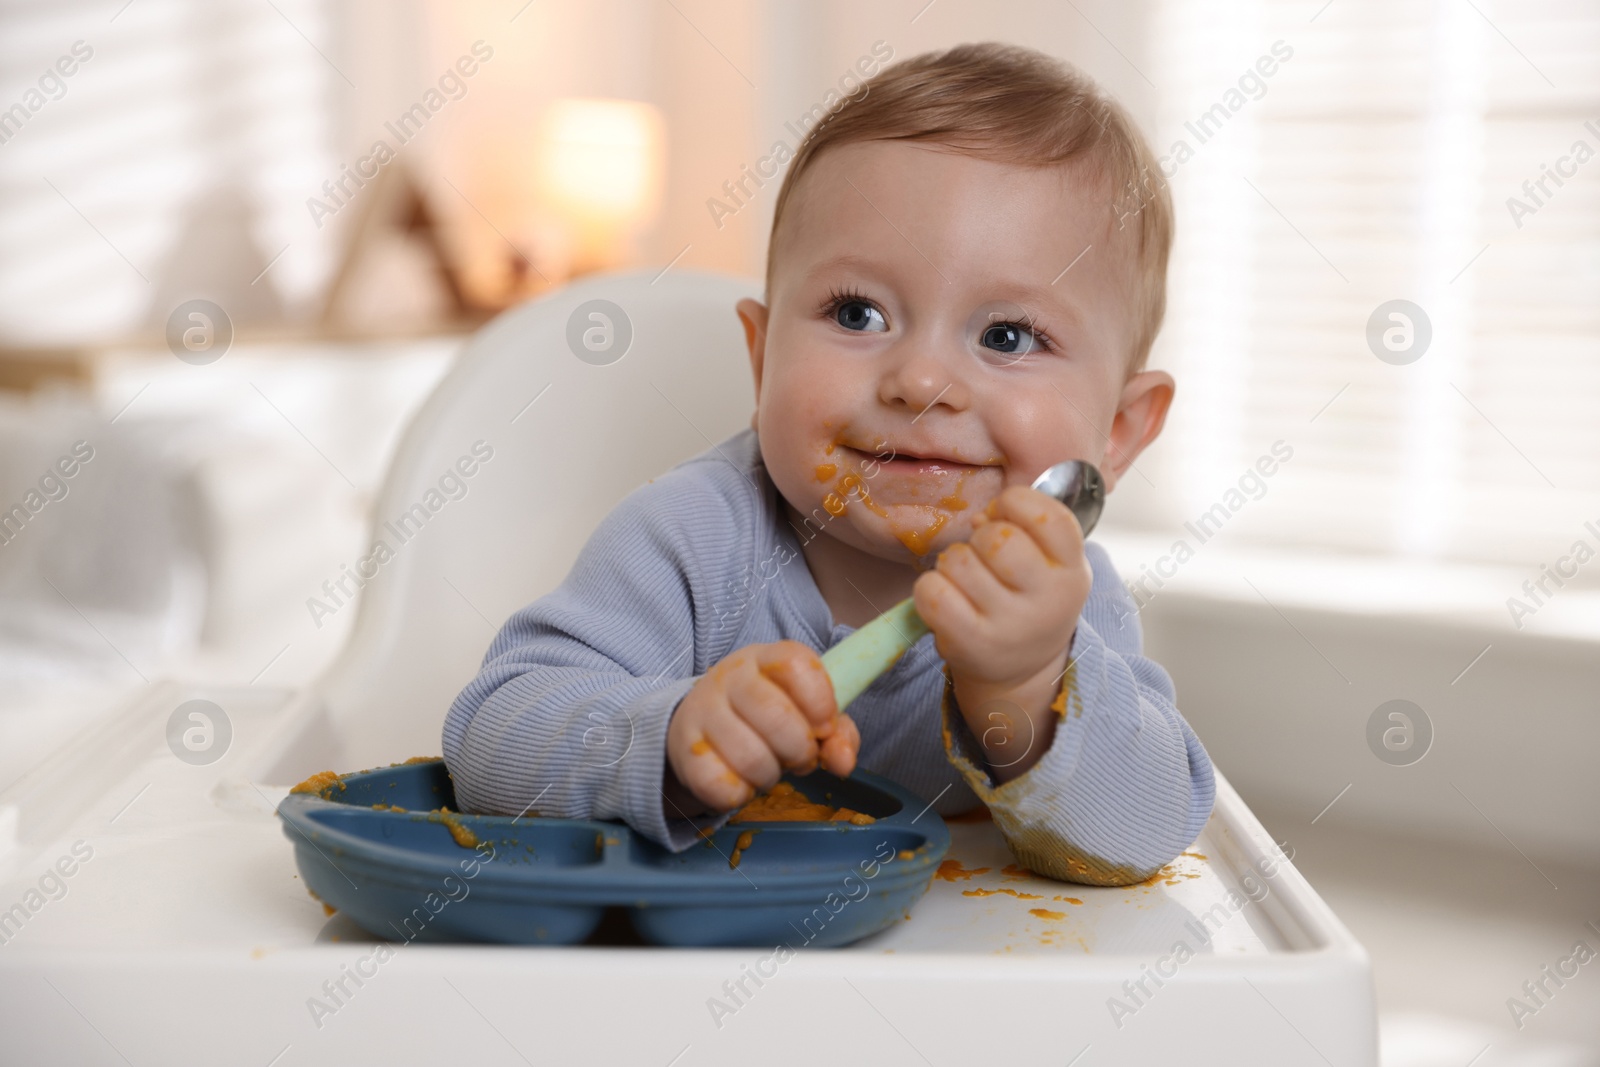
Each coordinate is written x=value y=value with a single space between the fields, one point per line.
x=186 y=937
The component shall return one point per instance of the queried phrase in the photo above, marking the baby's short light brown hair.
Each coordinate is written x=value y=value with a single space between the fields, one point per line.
x=1015 y=106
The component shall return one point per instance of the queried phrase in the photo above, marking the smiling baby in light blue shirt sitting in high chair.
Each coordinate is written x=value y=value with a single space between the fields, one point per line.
x=966 y=276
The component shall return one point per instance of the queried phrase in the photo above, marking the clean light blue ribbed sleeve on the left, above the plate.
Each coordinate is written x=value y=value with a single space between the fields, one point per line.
x=569 y=713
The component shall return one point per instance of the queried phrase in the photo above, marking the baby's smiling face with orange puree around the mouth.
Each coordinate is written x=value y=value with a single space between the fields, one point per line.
x=942 y=327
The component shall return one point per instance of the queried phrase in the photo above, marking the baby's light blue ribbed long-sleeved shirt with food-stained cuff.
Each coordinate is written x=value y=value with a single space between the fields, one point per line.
x=569 y=713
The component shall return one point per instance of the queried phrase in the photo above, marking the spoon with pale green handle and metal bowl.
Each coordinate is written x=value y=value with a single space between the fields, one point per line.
x=857 y=661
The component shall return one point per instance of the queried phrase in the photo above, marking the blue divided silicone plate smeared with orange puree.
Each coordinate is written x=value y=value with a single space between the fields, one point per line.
x=532 y=881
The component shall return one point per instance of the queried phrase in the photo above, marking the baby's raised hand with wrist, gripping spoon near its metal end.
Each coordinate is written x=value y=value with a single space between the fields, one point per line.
x=1004 y=609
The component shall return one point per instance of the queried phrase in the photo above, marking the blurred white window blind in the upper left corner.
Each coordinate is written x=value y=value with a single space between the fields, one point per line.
x=182 y=145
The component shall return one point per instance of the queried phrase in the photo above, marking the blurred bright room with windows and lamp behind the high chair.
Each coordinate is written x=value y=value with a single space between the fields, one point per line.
x=244 y=239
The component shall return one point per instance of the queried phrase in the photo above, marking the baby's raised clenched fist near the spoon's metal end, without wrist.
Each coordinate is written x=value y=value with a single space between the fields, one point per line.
x=1004 y=605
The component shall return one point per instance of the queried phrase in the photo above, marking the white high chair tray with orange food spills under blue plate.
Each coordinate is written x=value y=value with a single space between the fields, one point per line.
x=188 y=938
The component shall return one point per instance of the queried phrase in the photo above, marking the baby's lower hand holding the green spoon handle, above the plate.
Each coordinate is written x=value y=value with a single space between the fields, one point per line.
x=759 y=713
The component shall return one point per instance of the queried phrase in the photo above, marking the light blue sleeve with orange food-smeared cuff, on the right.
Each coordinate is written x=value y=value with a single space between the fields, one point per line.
x=1126 y=785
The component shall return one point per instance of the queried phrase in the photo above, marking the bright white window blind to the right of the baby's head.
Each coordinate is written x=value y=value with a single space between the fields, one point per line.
x=1326 y=161
